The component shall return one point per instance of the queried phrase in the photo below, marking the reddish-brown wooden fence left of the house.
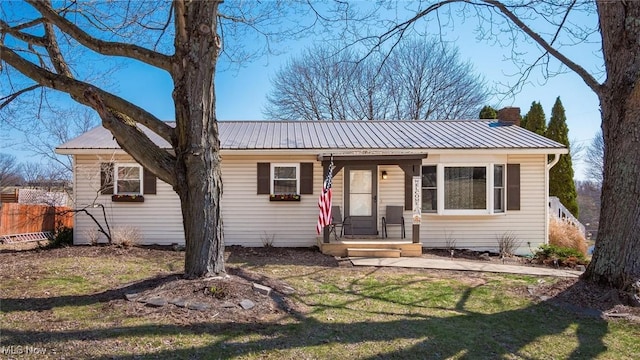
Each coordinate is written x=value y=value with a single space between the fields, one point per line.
x=19 y=218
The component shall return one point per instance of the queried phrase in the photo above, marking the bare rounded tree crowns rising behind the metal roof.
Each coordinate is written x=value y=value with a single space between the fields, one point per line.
x=418 y=80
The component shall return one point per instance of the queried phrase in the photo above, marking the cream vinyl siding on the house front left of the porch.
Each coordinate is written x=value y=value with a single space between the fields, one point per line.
x=248 y=218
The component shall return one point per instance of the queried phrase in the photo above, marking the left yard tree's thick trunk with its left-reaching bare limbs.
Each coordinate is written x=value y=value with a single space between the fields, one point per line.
x=33 y=48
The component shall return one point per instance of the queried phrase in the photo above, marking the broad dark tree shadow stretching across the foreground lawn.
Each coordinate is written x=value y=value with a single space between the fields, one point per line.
x=457 y=333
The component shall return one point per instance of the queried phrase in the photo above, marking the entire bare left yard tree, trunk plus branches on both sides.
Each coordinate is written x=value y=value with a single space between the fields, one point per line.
x=46 y=44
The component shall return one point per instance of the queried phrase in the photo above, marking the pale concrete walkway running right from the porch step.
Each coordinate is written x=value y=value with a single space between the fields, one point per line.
x=461 y=265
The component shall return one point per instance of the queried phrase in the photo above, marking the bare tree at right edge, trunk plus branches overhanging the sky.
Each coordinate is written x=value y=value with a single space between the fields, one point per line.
x=553 y=28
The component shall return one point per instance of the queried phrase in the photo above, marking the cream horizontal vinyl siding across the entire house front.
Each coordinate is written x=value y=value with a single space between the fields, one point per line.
x=249 y=218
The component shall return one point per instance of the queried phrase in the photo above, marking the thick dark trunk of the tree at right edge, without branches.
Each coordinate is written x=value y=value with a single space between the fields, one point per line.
x=616 y=259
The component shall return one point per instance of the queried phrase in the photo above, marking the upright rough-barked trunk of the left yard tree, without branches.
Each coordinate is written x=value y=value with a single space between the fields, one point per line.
x=198 y=173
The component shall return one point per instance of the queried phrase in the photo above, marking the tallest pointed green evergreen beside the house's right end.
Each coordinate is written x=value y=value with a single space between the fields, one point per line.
x=561 y=182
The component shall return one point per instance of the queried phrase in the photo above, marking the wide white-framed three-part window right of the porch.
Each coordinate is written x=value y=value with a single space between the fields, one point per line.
x=464 y=189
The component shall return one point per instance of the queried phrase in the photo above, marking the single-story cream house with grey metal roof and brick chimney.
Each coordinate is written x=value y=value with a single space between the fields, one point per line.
x=461 y=183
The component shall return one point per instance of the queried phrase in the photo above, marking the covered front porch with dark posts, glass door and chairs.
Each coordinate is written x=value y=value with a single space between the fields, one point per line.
x=371 y=189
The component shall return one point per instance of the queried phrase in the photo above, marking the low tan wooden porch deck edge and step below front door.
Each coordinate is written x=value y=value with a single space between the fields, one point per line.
x=370 y=247
